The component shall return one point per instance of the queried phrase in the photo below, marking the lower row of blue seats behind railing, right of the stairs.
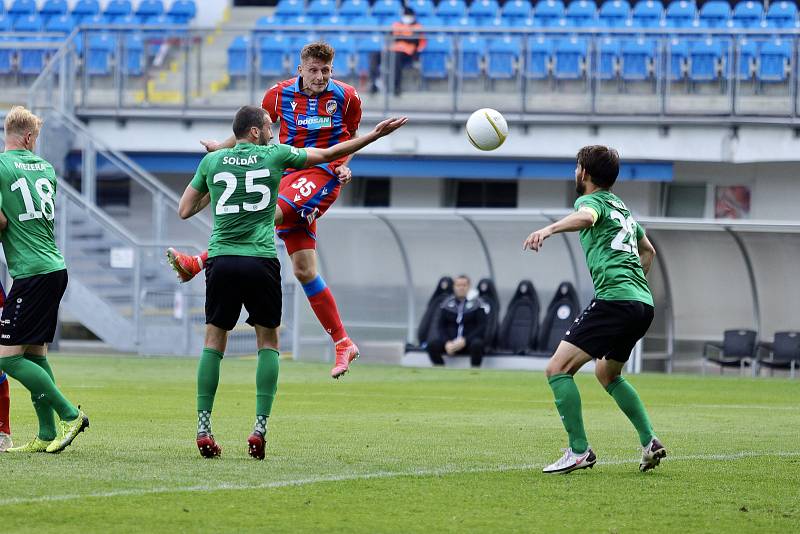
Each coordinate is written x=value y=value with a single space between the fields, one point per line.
x=537 y=57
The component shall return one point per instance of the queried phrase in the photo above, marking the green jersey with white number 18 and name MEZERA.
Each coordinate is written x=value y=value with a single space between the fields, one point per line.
x=28 y=195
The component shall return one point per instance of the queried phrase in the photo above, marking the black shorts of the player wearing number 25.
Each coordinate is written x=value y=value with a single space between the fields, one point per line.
x=236 y=281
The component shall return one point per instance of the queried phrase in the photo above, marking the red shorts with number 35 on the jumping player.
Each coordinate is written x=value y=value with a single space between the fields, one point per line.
x=304 y=196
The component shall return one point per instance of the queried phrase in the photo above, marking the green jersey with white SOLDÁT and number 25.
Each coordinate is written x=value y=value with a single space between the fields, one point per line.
x=243 y=182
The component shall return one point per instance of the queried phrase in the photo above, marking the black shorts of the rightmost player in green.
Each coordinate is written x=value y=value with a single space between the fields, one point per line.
x=610 y=328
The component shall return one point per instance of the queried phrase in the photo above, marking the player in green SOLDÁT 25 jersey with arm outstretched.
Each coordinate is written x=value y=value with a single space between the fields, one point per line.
x=242 y=268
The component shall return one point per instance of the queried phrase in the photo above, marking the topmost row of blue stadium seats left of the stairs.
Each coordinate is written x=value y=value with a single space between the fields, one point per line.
x=23 y=15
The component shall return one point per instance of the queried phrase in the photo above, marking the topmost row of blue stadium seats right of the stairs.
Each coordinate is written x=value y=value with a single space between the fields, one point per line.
x=546 y=13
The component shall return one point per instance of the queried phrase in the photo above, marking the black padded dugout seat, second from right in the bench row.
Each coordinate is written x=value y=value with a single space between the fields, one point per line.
x=520 y=327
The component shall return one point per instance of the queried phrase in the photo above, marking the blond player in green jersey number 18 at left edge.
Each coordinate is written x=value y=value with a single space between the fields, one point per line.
x=27 y=192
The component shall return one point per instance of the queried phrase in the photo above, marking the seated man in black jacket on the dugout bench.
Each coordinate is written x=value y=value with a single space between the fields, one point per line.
x=461 y=326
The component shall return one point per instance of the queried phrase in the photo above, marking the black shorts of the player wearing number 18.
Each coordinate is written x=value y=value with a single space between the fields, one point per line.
x=30 y=314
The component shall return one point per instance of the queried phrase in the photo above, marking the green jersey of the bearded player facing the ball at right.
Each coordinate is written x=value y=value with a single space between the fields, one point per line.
x=612 y=251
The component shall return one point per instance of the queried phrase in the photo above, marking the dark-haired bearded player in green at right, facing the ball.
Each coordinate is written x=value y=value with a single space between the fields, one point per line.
x=619 y=255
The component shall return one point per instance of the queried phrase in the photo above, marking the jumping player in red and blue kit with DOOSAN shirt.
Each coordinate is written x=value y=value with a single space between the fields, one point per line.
x=314 y=111
